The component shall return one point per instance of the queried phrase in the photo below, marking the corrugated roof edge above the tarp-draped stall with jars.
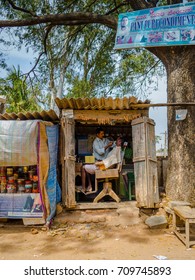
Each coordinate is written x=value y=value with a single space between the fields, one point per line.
x=43 y=115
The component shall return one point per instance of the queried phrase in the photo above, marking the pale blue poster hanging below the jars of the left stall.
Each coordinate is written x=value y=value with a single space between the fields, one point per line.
x=24 y=205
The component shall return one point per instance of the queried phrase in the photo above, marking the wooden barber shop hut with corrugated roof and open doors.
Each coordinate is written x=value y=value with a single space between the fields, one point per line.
x=133 y=177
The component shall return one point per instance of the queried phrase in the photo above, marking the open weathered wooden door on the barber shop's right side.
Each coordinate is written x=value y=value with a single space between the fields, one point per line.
x=145 y=163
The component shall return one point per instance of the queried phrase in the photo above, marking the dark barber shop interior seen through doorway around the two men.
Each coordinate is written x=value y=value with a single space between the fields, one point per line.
x=124 y=185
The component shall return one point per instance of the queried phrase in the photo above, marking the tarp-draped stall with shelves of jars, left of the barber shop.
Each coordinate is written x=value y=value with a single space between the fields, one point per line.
x=29 y=188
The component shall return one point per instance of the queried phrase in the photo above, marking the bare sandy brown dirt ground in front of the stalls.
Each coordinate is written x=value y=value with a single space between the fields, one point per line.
x=118 y=234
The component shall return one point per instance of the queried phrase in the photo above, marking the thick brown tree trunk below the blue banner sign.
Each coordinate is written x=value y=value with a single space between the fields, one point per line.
x=180 y=66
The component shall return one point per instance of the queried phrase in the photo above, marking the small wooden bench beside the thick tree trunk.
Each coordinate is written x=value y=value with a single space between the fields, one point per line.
x=186 y=215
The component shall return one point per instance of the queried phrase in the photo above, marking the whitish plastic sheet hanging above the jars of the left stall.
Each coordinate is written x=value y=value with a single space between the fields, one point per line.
x=18 y=142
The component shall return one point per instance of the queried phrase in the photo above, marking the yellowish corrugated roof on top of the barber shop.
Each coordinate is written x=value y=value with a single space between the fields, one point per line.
x=102 y=103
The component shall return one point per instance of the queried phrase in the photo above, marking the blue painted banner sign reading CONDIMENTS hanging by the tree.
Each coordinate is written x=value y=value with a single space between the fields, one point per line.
x=162 y=26
